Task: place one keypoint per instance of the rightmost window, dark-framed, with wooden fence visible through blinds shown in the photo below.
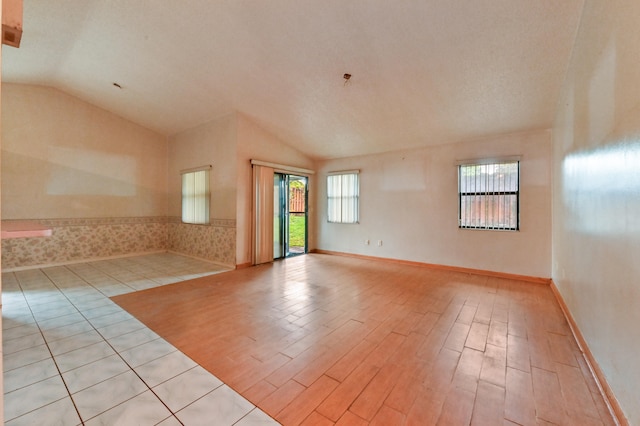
(489, 195)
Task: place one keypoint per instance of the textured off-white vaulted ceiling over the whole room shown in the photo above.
(424, 72)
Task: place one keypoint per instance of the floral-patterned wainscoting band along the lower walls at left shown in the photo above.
(82, 239)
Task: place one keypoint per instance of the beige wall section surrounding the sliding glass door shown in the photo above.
(254, 143)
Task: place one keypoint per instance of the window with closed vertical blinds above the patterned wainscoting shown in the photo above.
(196, 195)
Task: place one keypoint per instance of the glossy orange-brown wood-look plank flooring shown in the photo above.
(323, 340)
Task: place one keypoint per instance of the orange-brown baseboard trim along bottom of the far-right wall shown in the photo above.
(603, 386)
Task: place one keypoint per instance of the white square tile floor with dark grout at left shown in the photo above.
(72, 356)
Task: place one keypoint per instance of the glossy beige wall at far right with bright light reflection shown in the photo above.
(596, 206)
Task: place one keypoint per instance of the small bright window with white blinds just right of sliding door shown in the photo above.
(343, 192)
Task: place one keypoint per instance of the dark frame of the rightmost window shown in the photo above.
(487, 194)
